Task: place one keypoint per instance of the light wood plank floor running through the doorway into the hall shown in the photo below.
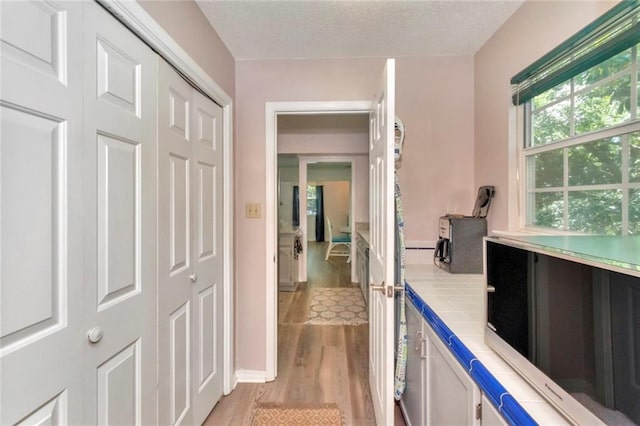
(316, 363)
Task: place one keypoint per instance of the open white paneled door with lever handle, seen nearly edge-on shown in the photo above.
(381, 250)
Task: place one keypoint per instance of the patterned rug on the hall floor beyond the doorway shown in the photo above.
(337, 306)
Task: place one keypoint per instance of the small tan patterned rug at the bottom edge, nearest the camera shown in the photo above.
(270, 414)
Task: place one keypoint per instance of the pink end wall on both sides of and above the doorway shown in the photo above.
(435, 101)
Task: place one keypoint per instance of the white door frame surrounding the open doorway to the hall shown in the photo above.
(272, 110)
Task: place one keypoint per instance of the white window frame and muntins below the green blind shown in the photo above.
(523, 174)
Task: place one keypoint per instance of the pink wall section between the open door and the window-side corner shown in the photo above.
(434, 99)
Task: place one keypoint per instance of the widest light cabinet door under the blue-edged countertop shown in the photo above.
(451, 393)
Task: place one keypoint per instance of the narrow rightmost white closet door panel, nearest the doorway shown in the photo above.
(207, 255)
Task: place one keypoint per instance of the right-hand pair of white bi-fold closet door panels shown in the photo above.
(189, 251)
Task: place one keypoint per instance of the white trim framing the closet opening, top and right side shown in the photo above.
(144, 26)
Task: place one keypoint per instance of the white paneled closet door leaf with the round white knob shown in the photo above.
(120, 223)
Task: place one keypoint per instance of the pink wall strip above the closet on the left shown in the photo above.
(187, 25)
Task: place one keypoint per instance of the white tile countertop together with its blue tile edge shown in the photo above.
(454, 304)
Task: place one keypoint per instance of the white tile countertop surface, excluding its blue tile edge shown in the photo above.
(459, 300)
